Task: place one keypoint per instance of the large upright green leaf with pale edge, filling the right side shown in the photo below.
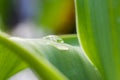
(98, 28)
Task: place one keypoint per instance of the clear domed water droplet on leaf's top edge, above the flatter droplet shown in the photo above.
(54, 38)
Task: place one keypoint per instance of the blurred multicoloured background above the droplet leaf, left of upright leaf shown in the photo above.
(37, 18)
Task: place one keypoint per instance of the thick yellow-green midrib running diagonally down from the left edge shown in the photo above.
(42, 66)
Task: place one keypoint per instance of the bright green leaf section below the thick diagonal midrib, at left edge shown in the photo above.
(10, 64)
